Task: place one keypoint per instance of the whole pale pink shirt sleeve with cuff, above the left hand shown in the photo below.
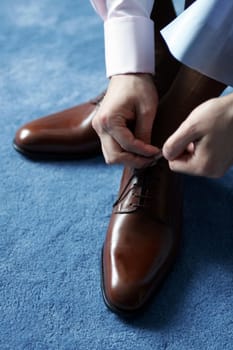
(129, 35)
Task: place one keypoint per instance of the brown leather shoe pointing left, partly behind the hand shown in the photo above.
(66, 134)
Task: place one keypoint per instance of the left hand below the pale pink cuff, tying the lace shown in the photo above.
(125, 118)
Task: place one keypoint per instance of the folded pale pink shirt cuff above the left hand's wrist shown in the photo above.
(129, 45)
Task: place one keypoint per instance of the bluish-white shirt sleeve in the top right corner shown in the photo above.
(202, 38)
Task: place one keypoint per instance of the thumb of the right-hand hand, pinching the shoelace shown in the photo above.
(182, 140)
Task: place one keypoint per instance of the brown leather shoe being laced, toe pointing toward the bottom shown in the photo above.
(142, 238)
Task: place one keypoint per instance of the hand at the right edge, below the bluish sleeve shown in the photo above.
(203, 144)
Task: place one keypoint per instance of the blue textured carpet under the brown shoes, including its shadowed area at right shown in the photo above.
(54, 215)
